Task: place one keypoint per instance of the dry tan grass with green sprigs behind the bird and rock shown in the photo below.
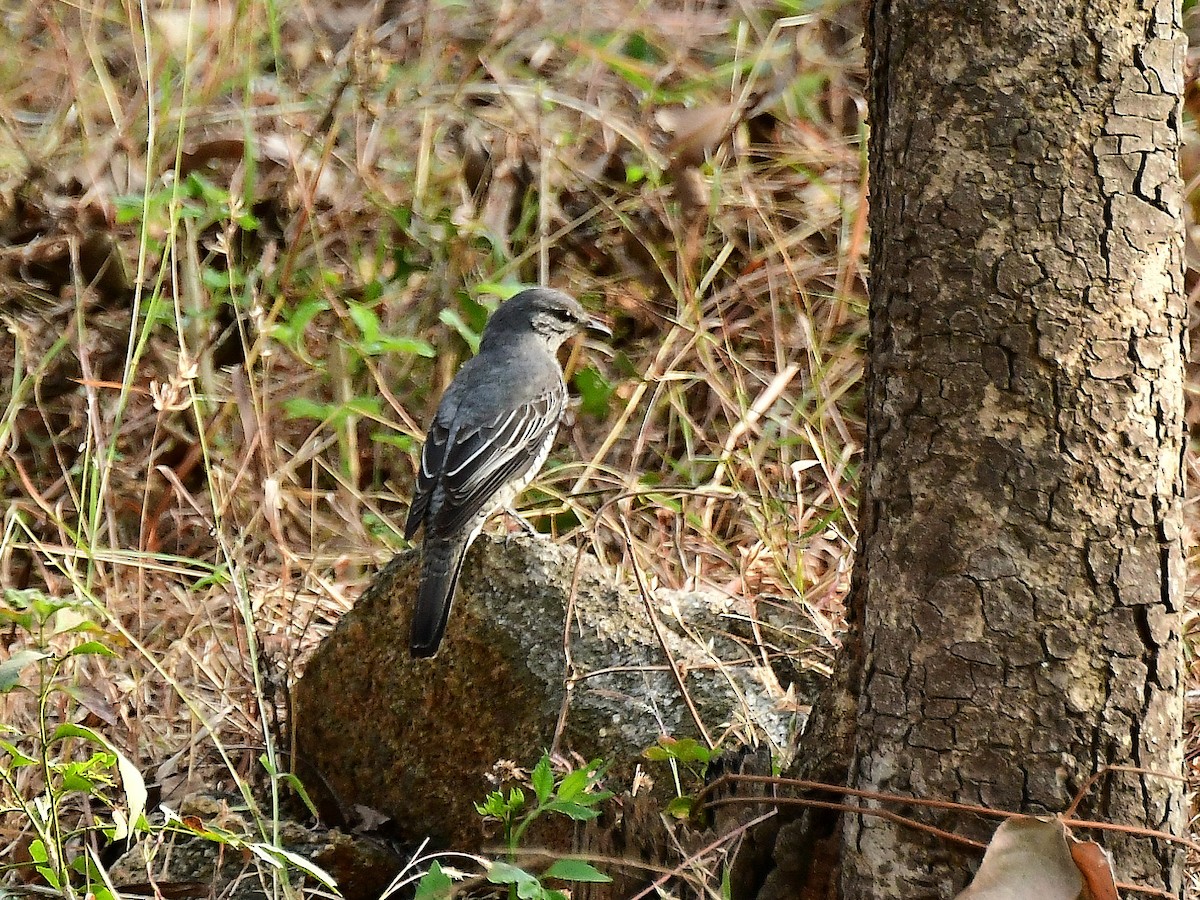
(243, 253)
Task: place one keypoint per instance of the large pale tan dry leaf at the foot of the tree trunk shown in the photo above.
(1027, 859)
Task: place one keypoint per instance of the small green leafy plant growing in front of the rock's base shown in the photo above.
(578, 795)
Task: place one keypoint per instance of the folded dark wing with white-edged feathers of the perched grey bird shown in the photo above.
(472, 463)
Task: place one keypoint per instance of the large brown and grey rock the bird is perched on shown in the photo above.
(417, 739)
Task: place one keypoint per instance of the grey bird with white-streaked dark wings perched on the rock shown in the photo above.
(491, 435)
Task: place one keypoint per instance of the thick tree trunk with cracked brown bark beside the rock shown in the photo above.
(1022, 568)
